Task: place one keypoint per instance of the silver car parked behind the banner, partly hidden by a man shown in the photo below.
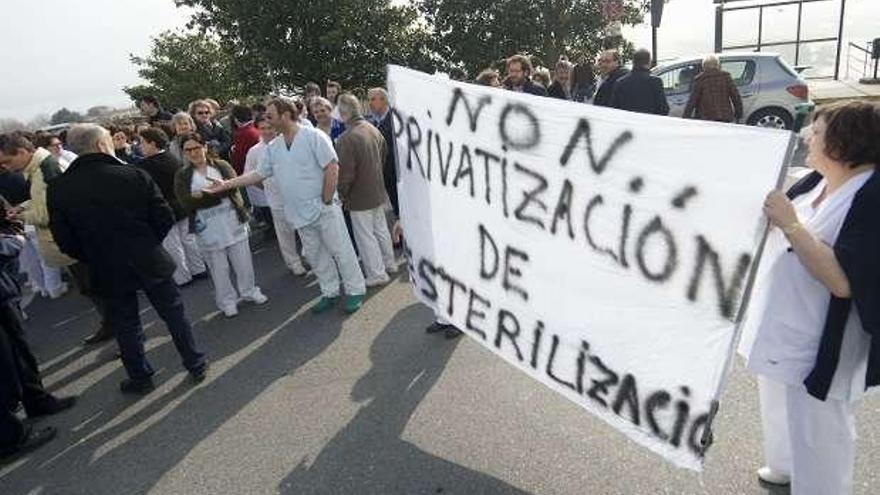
(769, 87)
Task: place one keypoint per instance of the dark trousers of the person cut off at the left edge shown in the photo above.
(19, 375)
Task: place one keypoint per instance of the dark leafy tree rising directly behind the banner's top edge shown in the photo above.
(476, 38)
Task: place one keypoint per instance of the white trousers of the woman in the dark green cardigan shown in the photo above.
(239, 256)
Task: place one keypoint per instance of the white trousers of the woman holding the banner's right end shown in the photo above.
(810, 440)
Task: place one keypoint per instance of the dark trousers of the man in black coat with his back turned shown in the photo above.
(123, 315)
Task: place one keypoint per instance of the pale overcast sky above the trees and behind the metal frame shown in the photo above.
(75, 53)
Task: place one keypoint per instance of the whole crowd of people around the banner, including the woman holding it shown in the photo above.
(152, 207)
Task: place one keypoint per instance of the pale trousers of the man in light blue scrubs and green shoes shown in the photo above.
(328, 249)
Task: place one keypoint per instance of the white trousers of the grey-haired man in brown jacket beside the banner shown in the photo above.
(374, 242)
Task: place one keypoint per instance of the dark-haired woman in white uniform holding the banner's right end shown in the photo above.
(813, 331)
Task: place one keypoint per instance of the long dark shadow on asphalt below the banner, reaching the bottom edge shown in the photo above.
(369, 456)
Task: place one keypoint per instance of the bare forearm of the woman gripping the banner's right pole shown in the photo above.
(815, 255)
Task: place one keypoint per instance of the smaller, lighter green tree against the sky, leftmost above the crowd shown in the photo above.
(182, 67)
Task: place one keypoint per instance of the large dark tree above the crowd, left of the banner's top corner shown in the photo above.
(299, 41)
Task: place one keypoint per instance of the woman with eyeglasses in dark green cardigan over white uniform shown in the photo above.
(220, 223)
